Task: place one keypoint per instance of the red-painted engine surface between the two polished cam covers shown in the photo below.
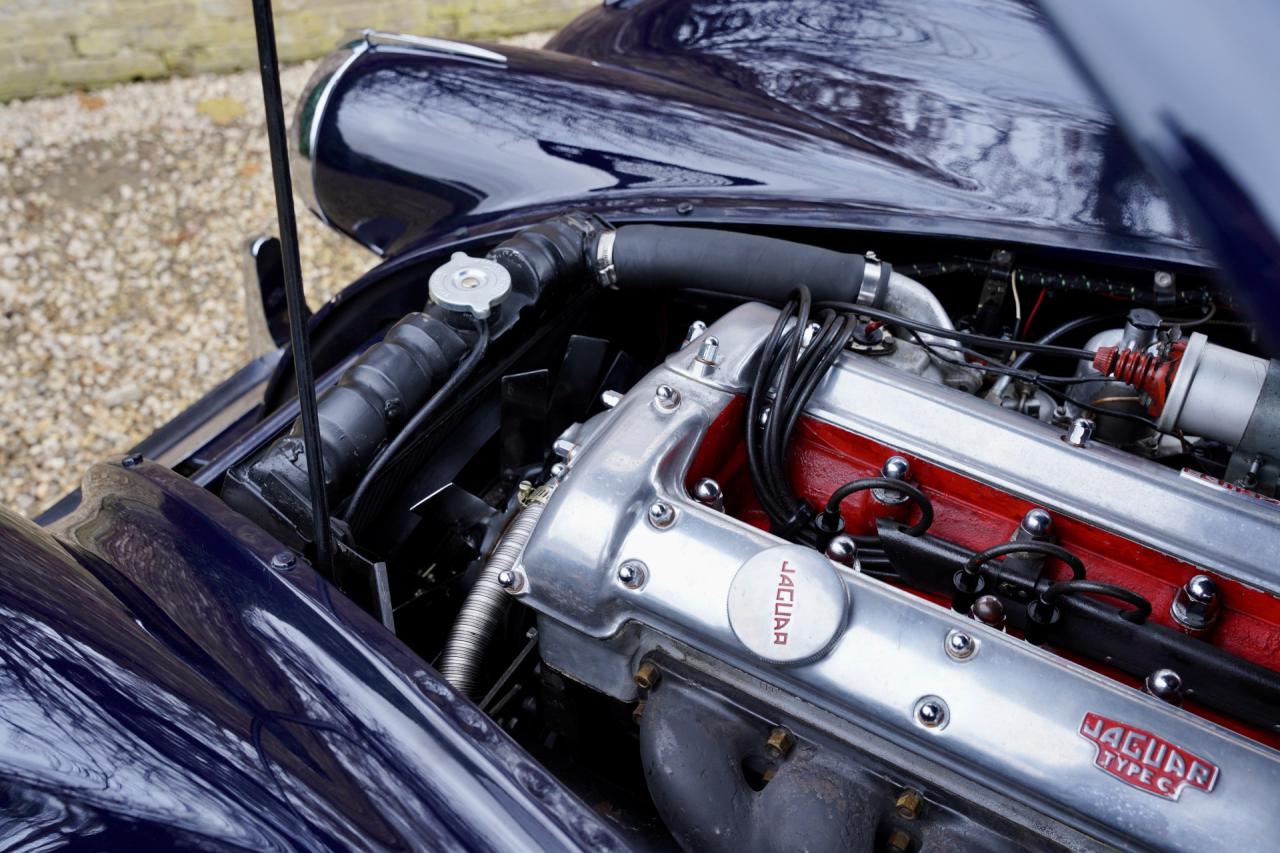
(977, 517)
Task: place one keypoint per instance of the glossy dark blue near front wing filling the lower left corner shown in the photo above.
(162, 686)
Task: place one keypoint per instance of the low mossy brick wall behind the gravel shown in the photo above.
(57, 45)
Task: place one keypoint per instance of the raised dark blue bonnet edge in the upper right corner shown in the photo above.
(1195, 93)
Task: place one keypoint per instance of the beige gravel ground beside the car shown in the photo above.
(122, 220)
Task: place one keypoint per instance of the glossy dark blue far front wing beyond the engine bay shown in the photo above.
(936, 117)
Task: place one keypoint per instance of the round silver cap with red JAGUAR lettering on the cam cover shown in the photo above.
(788, 605)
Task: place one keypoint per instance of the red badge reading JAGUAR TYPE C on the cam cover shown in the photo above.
(1145, 760)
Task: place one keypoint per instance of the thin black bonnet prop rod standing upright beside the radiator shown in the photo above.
(300, 339)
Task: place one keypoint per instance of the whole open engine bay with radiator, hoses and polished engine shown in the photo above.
(774, 545)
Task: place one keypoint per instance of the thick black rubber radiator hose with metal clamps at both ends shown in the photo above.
(746, 266)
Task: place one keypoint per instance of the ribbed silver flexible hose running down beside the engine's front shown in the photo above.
(487, 604)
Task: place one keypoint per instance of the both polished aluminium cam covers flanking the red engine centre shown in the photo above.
(1012, 718)
